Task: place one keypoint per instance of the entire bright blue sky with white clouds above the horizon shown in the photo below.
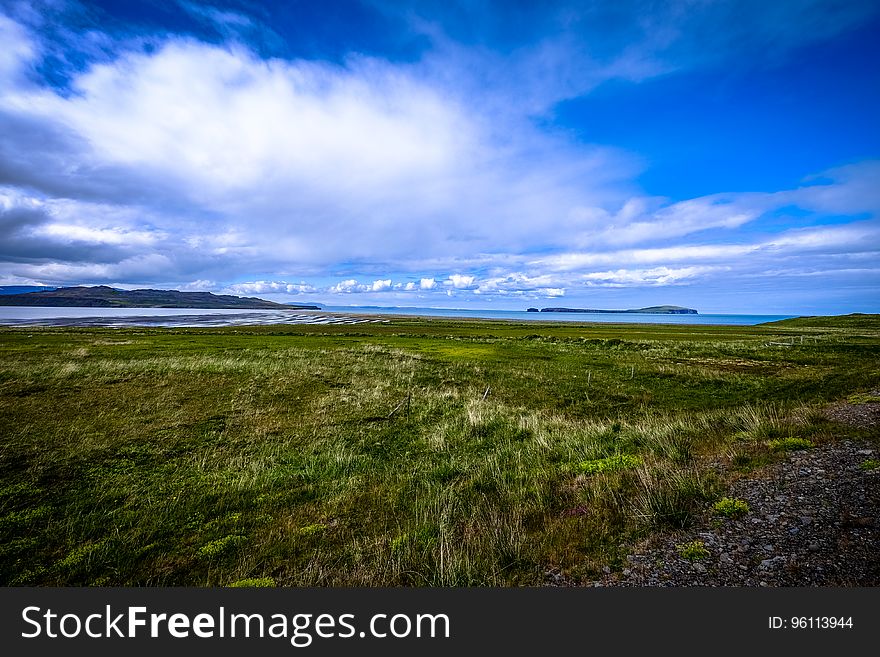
(718, 155)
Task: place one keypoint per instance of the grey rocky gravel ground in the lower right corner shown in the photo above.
(813, 520)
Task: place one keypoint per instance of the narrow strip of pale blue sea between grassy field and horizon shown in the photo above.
(184, 317)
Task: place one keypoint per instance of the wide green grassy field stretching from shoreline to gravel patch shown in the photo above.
(424, 453)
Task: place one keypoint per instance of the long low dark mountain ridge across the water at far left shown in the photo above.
(102, 296)
